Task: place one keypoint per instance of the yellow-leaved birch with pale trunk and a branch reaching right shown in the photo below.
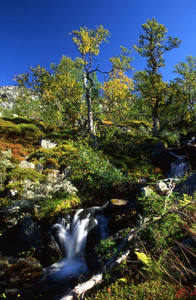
(88, 43)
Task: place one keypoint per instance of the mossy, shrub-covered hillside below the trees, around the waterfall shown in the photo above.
(49, 171)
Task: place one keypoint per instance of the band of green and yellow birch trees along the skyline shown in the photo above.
(70, 91)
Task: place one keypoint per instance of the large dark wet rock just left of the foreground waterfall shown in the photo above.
(28, 238)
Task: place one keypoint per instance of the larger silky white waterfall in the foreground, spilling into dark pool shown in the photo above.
(72, 238)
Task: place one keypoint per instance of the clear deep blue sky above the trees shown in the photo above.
(36, 32)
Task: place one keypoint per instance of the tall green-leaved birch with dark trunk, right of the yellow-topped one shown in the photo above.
(153, 44)
